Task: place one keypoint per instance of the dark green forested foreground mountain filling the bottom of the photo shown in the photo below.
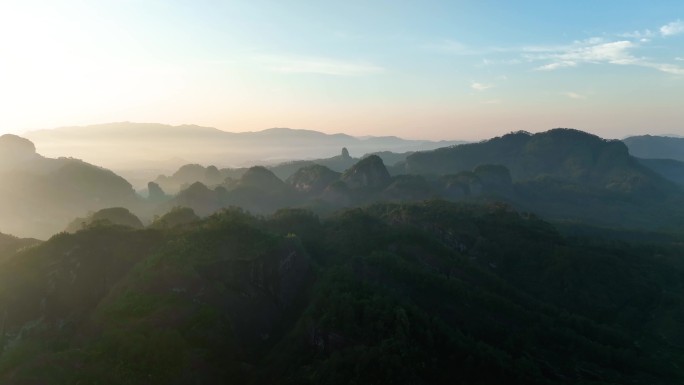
(429, 293)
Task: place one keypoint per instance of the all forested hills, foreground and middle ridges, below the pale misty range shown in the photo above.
(551, 258)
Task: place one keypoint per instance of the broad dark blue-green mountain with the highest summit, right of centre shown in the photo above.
(563, 154)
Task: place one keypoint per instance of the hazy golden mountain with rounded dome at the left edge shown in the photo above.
(39, 195)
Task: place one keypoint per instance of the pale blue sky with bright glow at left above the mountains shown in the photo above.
(416, 69)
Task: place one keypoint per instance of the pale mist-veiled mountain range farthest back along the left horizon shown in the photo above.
(158, 146)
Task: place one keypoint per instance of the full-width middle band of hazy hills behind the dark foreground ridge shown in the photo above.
(561, 174)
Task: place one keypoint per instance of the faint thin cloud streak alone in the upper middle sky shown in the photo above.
(316, 65)
